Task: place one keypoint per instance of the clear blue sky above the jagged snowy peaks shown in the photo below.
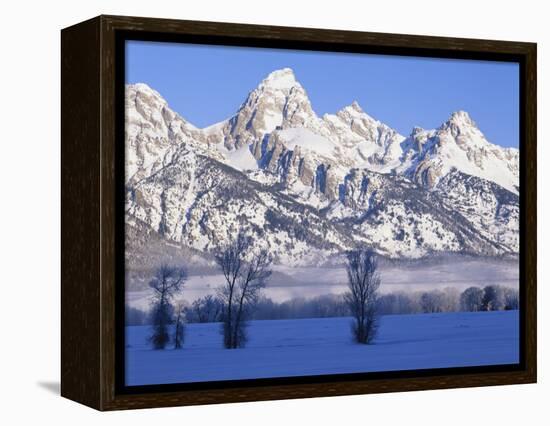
(206, 84)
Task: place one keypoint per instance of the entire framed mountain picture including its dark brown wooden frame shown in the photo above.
(256, 212)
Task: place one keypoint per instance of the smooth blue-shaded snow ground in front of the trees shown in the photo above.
(283, 348)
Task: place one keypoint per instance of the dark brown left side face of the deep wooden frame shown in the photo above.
(80, 207)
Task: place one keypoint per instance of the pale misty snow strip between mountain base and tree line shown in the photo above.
(289, 282)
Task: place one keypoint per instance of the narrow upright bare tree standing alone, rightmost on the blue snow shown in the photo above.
(363, 284)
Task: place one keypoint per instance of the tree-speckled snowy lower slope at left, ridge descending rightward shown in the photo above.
(200, 203)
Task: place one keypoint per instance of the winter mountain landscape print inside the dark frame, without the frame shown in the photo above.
(297, 213)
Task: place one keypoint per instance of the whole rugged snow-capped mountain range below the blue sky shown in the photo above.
(309, 187)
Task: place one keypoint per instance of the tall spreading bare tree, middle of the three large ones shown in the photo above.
(244, 281)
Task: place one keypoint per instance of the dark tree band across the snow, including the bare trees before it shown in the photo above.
(239, 299)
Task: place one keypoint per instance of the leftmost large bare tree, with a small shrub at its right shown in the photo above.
(167, 281)
